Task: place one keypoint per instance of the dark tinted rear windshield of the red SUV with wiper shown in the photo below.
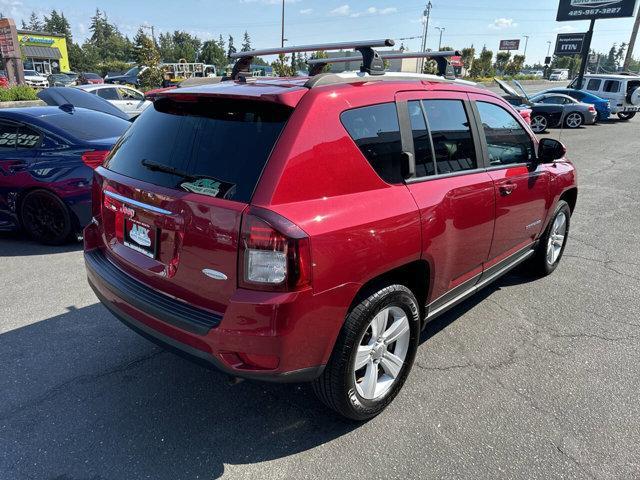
(215, 147)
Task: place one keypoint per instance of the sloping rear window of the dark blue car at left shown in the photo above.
(88, 125)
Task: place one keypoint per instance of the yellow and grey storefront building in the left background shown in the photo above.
(44, 52)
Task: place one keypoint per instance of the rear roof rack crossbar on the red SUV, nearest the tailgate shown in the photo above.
(371, 61)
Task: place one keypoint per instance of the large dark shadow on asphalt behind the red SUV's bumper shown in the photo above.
(81, 396)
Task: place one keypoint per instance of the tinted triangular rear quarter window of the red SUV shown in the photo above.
(376, 131)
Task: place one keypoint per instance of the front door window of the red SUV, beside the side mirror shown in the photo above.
(507, 141)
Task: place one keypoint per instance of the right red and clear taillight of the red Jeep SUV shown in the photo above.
(274, 254)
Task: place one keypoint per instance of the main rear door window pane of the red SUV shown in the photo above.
(451, 135)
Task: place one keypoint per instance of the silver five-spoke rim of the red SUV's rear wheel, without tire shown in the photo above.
(381, 353)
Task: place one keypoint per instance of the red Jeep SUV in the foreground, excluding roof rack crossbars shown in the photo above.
(307, 229)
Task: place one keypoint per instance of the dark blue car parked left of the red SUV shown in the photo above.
(47, 158)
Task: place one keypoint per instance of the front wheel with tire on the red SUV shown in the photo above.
(545, 260)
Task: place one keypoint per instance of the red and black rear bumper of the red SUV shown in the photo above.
(296, 331)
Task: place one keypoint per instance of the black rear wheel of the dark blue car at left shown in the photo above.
(45, 218)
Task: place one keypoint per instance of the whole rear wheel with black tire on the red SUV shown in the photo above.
(362, 393)
